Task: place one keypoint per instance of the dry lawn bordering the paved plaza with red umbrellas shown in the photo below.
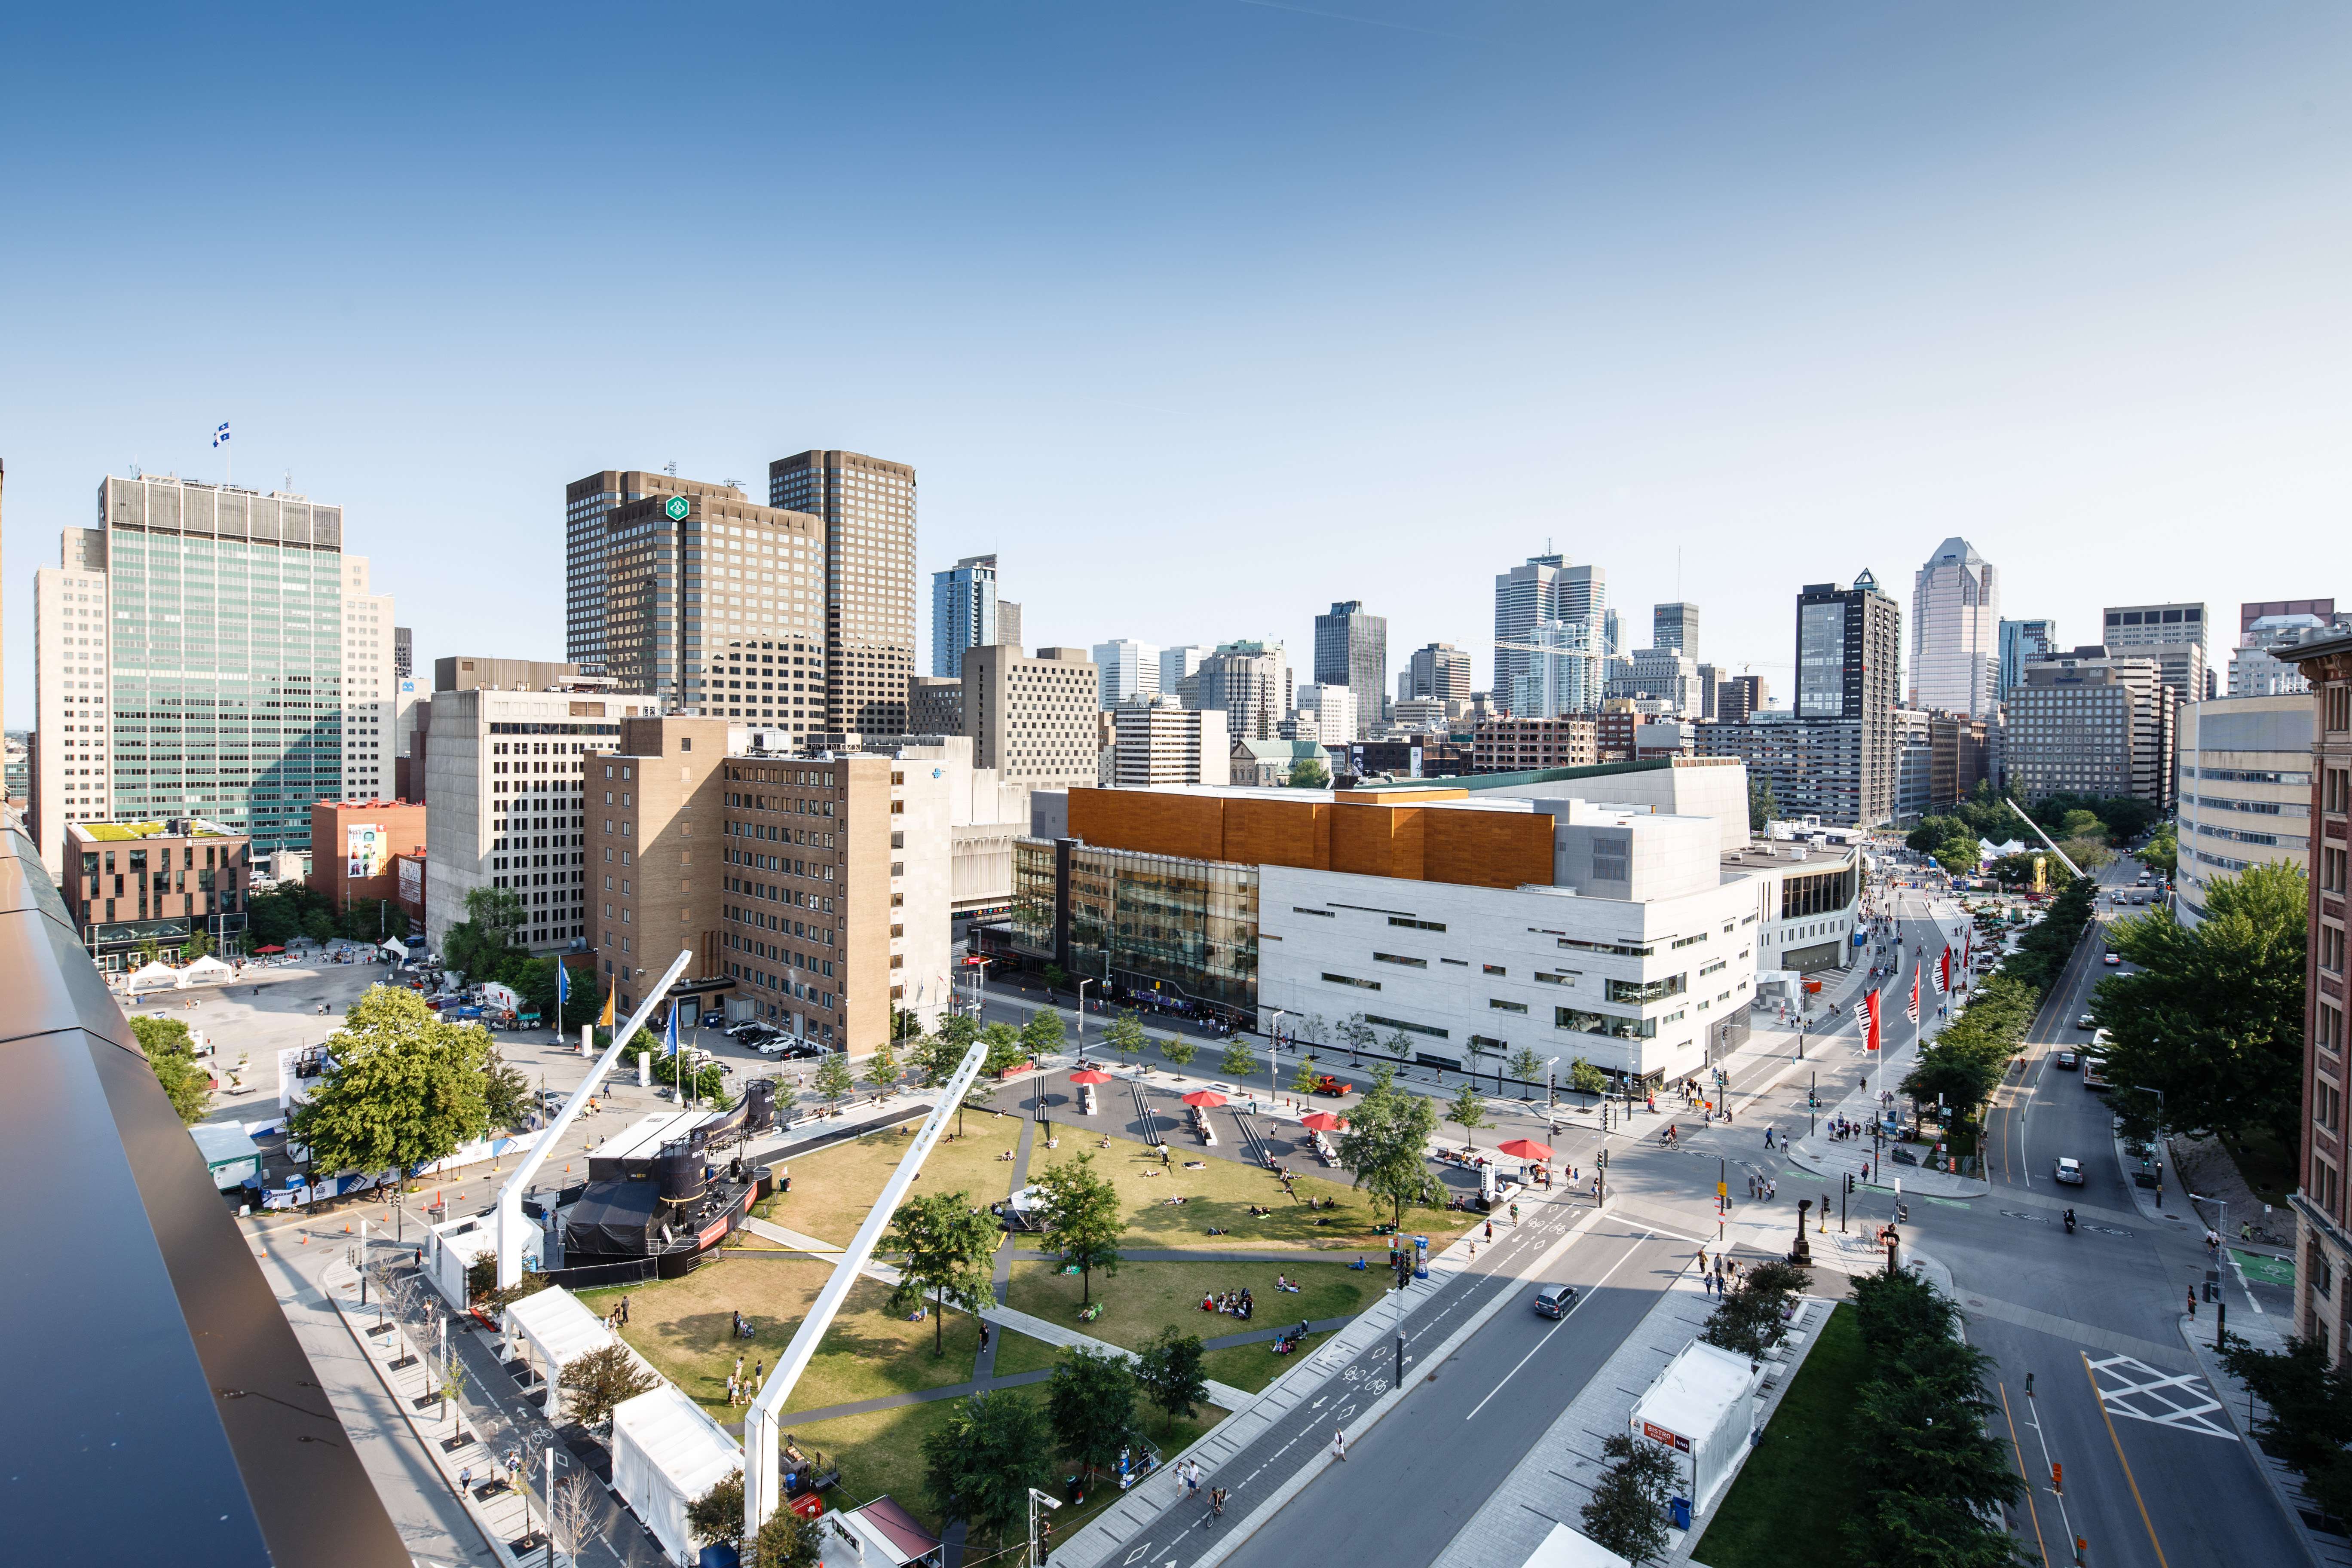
(1222, 1195)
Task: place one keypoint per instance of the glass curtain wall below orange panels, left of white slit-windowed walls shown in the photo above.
(1187, 930)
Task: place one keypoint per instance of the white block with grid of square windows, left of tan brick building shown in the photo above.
(505, 782)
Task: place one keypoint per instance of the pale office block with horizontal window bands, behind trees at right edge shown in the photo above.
(2245, 791)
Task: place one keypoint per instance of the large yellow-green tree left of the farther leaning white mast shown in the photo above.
(401, 1090)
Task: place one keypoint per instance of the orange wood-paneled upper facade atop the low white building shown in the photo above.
(1351, 836)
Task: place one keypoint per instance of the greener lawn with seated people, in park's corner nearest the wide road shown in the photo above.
(1149, 1296)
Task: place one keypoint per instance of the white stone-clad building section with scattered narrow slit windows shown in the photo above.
(1638, 949)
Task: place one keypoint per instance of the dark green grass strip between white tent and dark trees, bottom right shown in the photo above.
(1798, 1482)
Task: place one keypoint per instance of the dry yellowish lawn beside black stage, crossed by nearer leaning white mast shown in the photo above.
(683, 1329)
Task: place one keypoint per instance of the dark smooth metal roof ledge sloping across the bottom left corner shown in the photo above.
(161, 1407)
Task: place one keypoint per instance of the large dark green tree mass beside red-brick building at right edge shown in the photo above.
(2214, 1017)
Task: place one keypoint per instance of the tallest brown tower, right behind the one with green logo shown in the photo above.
(869, 514)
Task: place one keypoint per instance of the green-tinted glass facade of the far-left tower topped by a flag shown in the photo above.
(227, 634)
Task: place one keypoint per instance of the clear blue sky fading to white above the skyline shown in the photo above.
(1205, 314)
